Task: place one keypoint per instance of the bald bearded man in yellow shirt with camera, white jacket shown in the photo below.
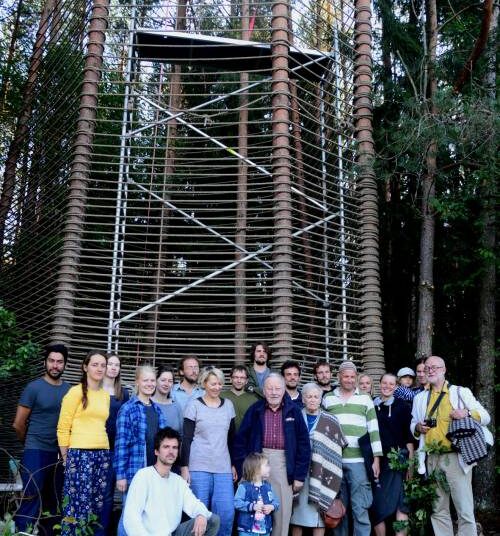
(433, 410)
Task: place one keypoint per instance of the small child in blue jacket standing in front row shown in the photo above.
(254, 500)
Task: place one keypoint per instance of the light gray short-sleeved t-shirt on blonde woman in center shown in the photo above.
(209, 449)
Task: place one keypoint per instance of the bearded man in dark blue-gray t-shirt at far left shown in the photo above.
(36, 426)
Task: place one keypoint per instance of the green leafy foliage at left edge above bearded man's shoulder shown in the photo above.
(17, 350)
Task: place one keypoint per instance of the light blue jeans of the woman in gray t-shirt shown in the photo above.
(216, 492)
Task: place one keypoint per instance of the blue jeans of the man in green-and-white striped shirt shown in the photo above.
(356, 490)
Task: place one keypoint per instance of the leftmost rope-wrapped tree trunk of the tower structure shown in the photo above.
(62, 325)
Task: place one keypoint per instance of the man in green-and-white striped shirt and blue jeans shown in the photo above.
(357, 417)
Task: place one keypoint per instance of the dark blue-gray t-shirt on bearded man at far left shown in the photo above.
(44, 400)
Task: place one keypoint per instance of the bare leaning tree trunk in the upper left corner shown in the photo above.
(9, 179)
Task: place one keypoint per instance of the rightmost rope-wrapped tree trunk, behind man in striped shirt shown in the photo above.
(371, 303)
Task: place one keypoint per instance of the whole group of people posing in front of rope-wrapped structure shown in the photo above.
(264, 455)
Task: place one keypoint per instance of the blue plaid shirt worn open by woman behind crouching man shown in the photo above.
(130, 444)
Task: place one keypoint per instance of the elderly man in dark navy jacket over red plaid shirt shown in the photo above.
(276, 427)
